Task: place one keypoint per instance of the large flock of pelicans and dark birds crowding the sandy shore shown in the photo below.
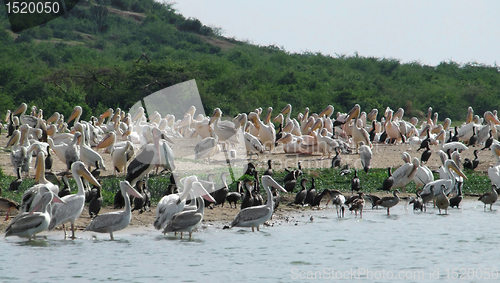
(140, 145)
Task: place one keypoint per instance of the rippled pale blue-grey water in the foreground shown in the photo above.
(405, 246)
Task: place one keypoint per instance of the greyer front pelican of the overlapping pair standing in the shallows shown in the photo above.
(186, 221)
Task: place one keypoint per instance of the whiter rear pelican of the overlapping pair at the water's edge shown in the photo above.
(171, 204)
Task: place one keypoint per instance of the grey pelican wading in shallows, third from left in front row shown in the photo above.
(117, 220)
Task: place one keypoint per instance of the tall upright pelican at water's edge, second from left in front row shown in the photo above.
(73, 206)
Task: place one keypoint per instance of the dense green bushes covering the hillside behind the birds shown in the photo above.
(92, 57)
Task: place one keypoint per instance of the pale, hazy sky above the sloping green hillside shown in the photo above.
(429, 31)
